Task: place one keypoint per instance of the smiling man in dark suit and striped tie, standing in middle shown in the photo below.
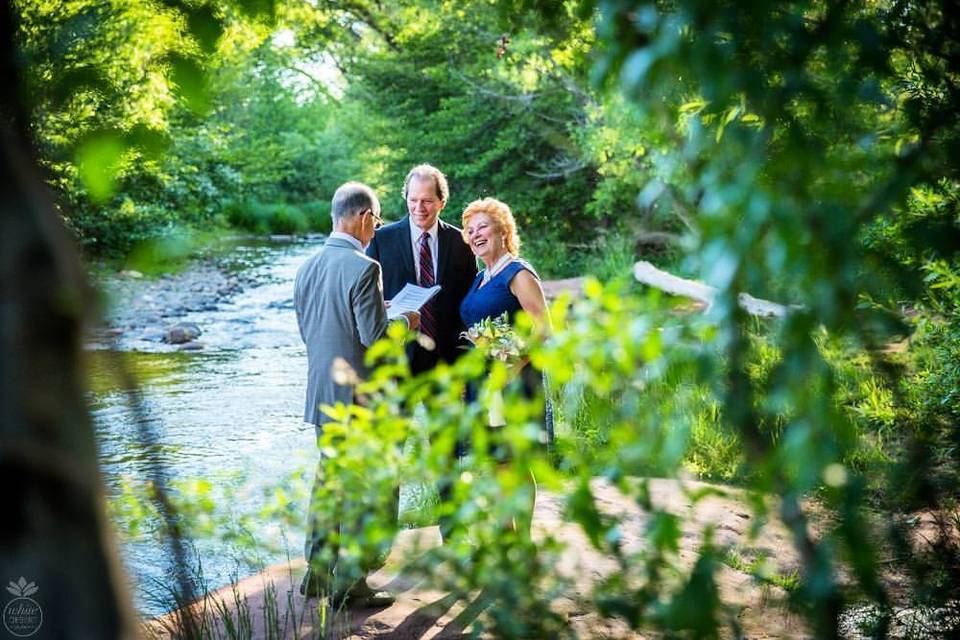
(423, 250)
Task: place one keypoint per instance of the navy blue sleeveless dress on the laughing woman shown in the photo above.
(492, 300)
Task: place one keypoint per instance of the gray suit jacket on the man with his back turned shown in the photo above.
(338, 296)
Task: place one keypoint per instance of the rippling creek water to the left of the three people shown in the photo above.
(227, 417)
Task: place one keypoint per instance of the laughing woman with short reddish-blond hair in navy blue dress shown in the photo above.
(507, 285)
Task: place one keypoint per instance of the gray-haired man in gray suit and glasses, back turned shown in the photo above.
(338, 297)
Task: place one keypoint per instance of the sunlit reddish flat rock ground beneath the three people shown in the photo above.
(423, 612)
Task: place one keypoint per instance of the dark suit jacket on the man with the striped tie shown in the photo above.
(456, 270)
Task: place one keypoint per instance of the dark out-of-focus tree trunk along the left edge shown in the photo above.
(55, 533)
